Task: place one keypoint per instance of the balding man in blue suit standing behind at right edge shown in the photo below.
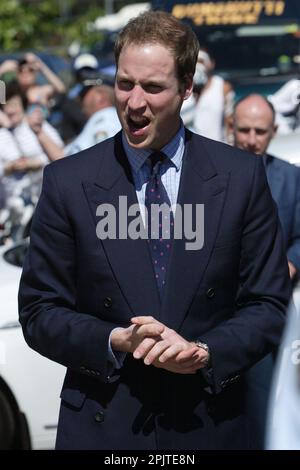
(254, 128)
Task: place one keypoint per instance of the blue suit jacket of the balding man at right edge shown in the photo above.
(284, 182)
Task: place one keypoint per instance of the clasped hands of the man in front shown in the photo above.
(153, 342)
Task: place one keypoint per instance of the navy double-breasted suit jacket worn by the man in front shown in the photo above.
(232, 294)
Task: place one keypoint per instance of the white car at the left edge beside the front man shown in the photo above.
(29, 383)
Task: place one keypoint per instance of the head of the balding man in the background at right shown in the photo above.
(253, 125)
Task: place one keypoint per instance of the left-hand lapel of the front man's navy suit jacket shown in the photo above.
(129, 259)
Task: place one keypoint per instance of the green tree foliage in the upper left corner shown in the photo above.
(42, 24)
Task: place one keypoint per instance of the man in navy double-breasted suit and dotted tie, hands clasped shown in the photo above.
(156, 332)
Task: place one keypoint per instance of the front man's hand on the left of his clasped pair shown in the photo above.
(128, 339)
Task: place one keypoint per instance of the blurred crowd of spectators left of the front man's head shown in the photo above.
(28, 138)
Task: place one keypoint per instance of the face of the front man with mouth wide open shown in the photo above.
(148, 95)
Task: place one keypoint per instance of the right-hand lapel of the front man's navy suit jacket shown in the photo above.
(200, 184)
